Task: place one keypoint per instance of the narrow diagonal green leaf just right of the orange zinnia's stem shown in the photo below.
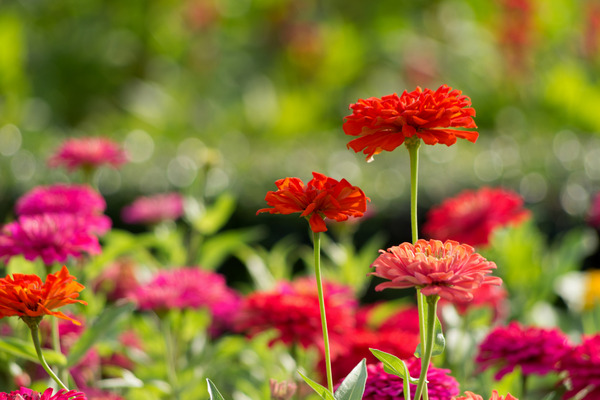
(101, 326)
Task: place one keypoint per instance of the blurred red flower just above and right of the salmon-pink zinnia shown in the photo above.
(472, 216)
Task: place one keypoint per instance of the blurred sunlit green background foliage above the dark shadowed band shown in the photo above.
(210, 96)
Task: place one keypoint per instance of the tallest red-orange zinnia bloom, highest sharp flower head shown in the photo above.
(384, 124)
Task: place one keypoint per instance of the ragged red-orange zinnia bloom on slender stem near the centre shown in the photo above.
(322, 197)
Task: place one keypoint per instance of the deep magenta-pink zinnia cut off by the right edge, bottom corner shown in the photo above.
(582, 365)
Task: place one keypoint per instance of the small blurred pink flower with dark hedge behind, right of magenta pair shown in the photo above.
(154, 209)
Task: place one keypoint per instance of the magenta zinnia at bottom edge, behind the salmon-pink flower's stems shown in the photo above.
(383, 386)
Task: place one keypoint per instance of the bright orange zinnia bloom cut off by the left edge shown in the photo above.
(27, 296)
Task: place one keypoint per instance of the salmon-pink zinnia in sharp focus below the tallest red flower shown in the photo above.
(450, 270)
